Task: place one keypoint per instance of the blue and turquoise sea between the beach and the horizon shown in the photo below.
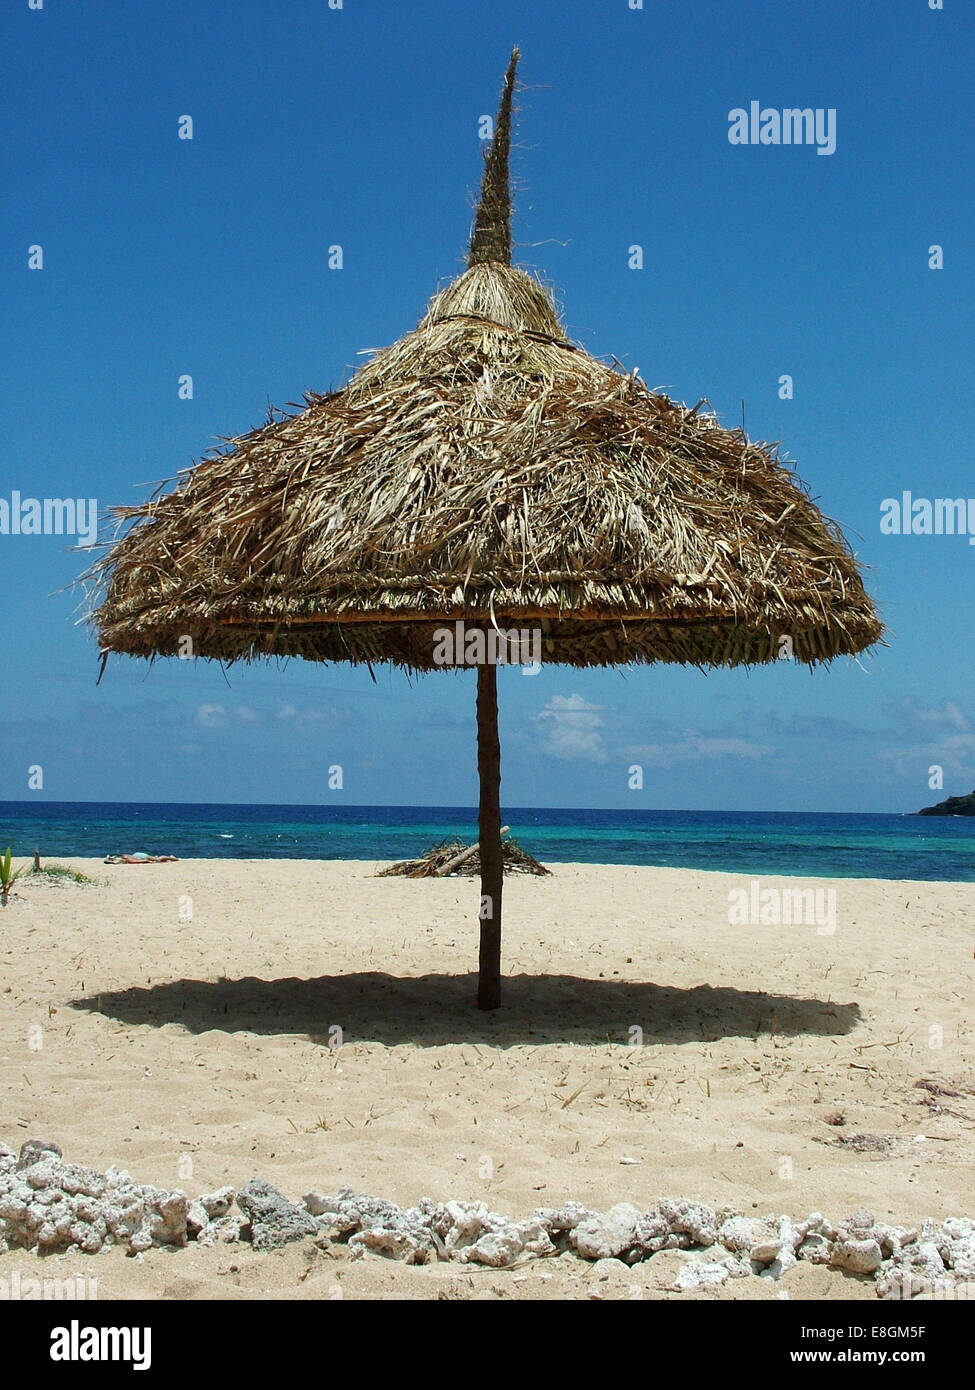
(762, 843)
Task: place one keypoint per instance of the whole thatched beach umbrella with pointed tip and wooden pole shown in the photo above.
(486, 472)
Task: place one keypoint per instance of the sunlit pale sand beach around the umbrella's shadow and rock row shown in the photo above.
(195, 1053)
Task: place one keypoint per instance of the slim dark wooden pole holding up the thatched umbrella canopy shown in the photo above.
(489, 826)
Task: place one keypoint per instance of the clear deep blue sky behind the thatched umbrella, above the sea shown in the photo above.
(358, 127)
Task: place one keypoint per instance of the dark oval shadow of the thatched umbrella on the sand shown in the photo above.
(435, 1010)
